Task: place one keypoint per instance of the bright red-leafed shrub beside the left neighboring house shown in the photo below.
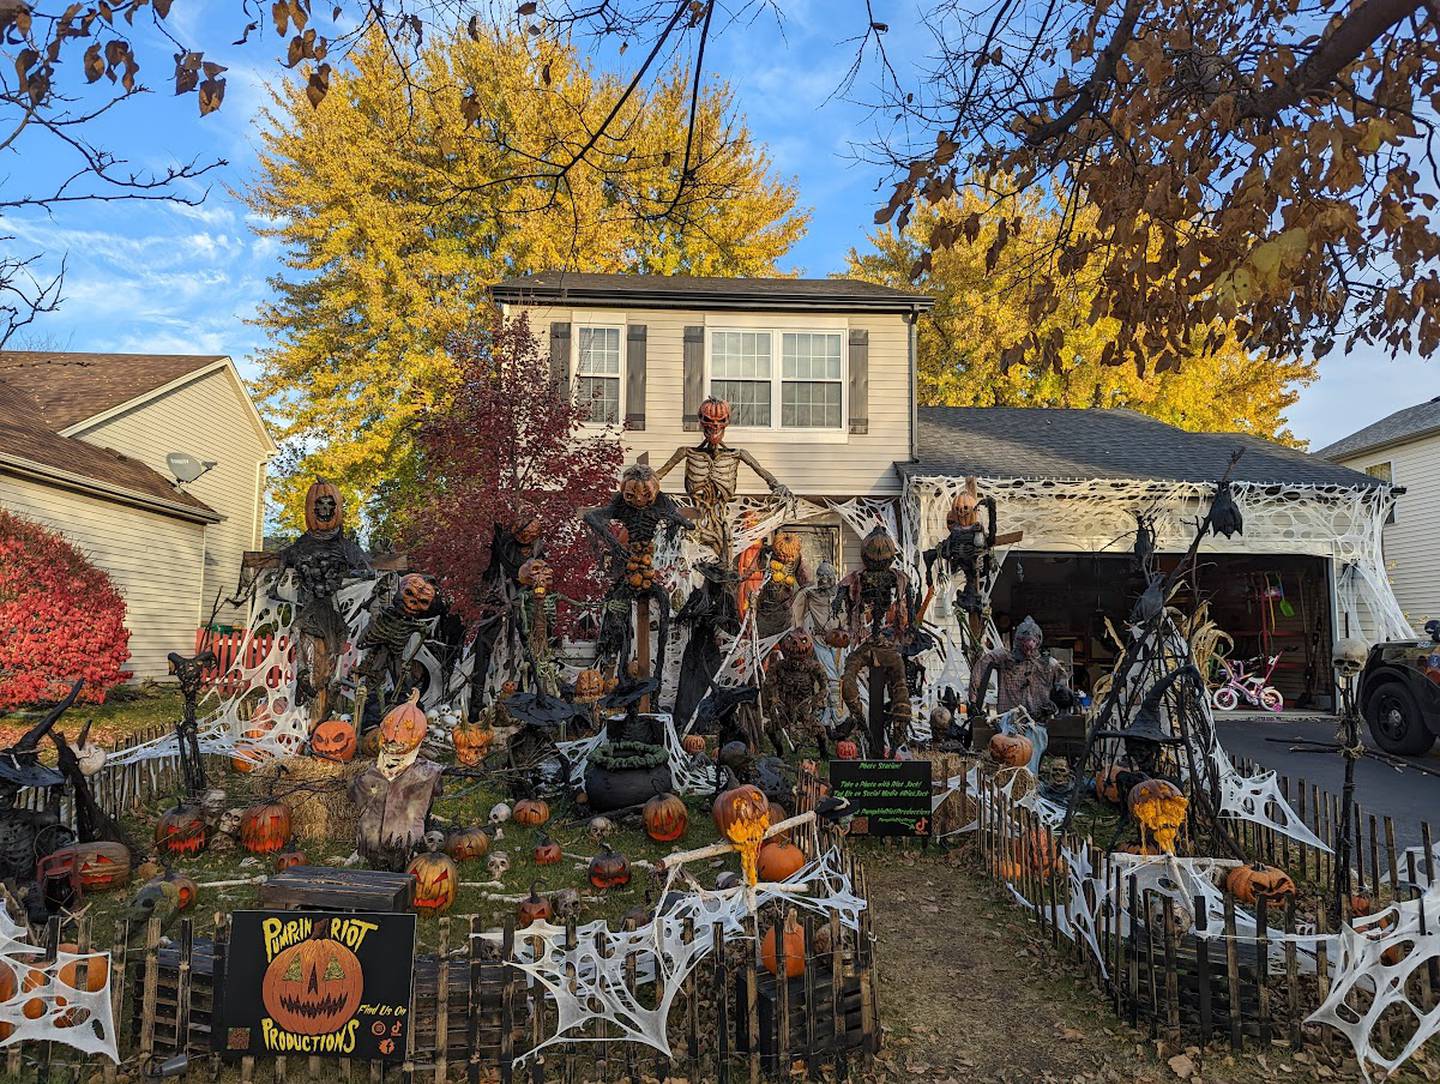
(61, 618)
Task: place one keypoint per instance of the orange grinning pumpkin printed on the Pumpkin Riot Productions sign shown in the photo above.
(315, 987)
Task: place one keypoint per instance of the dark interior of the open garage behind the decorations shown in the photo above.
(1269, 604)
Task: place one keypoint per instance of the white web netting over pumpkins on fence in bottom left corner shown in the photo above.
(44, 1000)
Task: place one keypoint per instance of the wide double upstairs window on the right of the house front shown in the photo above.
(807, 382)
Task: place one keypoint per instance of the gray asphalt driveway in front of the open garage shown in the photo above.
(1406, 797)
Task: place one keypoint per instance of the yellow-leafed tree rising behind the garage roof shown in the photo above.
(978, 317)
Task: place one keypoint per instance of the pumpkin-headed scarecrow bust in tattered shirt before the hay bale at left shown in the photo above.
(395, 797)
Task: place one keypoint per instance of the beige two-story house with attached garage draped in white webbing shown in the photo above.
(822, 378)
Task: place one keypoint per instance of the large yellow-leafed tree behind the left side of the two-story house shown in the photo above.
(407, 194)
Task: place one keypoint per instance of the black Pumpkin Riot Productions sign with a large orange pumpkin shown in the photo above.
(315, 983)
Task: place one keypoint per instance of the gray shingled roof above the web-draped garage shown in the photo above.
(1066, 444)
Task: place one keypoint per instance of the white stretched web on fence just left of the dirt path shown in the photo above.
(588, 984)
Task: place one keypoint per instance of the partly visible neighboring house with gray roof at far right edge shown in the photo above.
(1405, 451)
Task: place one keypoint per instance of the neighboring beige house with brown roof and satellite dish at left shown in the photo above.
(83, 448)
